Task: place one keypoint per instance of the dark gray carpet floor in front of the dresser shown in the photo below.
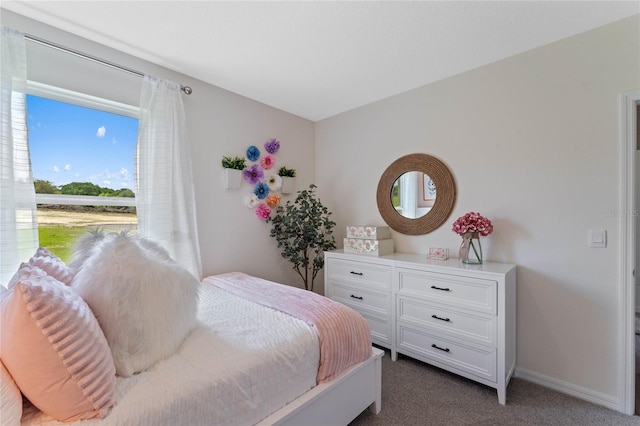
(415, 393)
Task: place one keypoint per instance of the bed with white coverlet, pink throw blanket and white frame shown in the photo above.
(252, 360)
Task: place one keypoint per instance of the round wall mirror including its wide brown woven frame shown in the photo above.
(416, 194)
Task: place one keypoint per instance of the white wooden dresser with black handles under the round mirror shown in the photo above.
(458, 317)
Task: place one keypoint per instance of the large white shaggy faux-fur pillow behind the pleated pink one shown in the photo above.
(144, 301)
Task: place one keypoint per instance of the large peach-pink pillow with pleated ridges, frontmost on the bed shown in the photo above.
(54, 349)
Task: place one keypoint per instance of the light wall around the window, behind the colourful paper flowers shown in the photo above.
(221, 123)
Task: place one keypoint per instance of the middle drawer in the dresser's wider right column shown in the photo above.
(463, 325)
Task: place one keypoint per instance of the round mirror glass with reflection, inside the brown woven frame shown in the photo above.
(413, 194)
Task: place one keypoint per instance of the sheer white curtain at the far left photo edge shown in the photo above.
(18, 220)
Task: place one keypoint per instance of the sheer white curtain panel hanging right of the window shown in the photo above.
(165, 198)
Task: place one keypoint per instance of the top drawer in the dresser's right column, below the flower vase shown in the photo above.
(465, 292)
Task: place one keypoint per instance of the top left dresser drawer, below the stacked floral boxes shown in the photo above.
(363, 273)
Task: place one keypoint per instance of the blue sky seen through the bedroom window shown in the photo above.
(69, 143)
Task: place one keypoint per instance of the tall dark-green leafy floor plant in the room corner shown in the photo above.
(303, 229)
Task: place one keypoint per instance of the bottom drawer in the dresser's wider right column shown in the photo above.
(434, 348)
